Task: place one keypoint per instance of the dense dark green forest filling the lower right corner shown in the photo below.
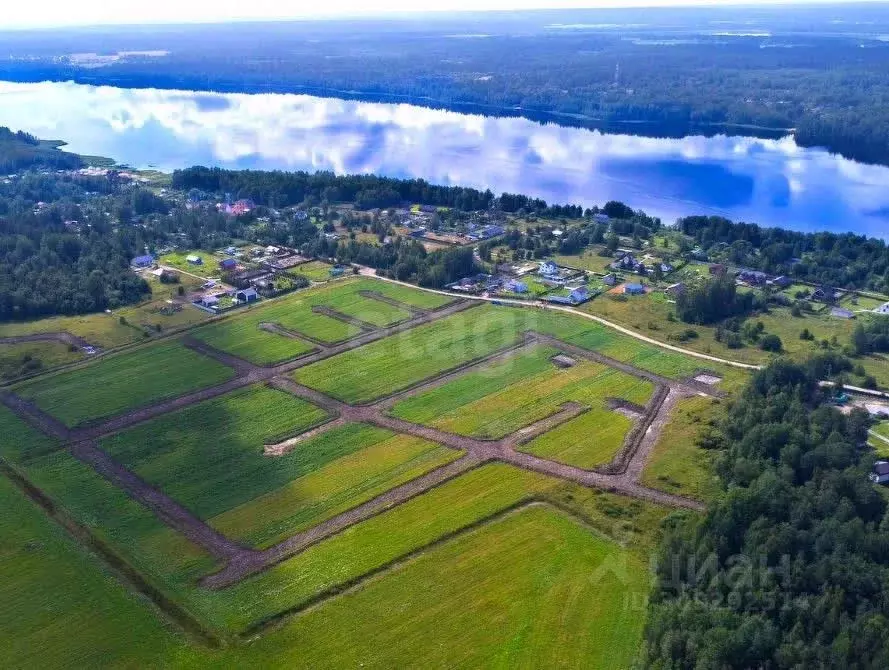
(790, 567)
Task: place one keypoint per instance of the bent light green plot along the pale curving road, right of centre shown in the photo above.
(398, 362)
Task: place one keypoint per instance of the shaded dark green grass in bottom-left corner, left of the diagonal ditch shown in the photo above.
(59, 608)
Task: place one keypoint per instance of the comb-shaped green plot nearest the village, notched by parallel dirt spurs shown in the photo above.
(241, 335)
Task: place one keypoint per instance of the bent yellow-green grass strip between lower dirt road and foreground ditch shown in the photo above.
(439, 513)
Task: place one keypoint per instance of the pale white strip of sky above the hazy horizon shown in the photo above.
(53, 13)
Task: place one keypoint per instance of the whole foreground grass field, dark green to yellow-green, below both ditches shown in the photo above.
(531, 589)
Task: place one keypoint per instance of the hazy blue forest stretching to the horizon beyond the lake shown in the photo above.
(666, 72)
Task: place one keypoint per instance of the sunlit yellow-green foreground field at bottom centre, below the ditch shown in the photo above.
(531, 589)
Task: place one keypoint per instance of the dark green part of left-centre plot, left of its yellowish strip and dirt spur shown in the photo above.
(209, 456)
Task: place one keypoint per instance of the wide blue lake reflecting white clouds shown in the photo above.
(771, 182)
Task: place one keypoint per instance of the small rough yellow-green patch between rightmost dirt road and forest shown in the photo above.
(677, 464)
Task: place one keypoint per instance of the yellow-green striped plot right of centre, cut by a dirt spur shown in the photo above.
(507, 395)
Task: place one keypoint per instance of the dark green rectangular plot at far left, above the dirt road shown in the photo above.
(123, 382)
